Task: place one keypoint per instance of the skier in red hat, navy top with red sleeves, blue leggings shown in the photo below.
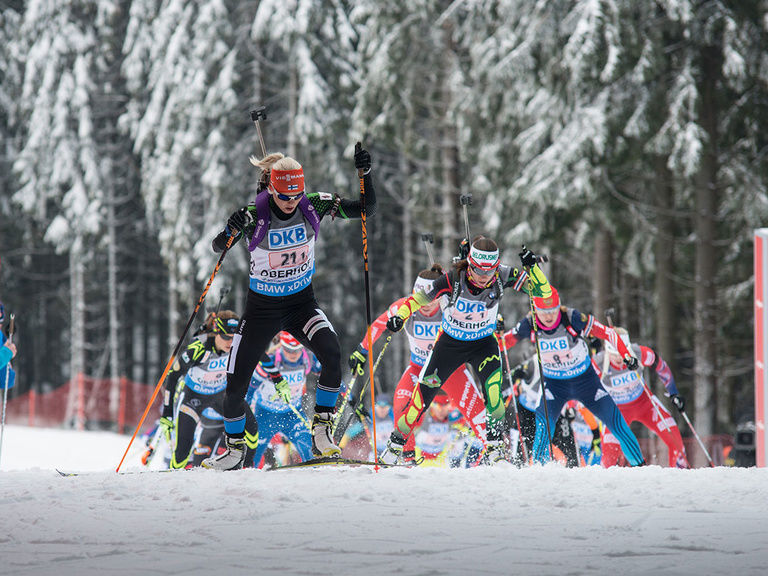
(569, 373)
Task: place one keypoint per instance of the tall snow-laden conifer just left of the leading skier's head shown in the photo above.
(180, 68)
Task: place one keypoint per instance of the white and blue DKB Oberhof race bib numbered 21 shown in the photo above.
(284, 261)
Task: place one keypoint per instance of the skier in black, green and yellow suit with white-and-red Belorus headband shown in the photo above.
(474, 286)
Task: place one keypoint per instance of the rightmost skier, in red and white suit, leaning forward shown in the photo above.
(626, 388)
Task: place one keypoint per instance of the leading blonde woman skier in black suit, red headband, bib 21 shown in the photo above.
(281, 227)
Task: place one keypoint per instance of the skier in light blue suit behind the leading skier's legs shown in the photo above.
(273, 413)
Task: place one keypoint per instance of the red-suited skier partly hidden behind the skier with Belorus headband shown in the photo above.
(422, 330)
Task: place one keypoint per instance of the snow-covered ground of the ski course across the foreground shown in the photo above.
(539, 521)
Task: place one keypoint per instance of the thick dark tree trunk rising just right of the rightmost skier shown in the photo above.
(705, 293)
